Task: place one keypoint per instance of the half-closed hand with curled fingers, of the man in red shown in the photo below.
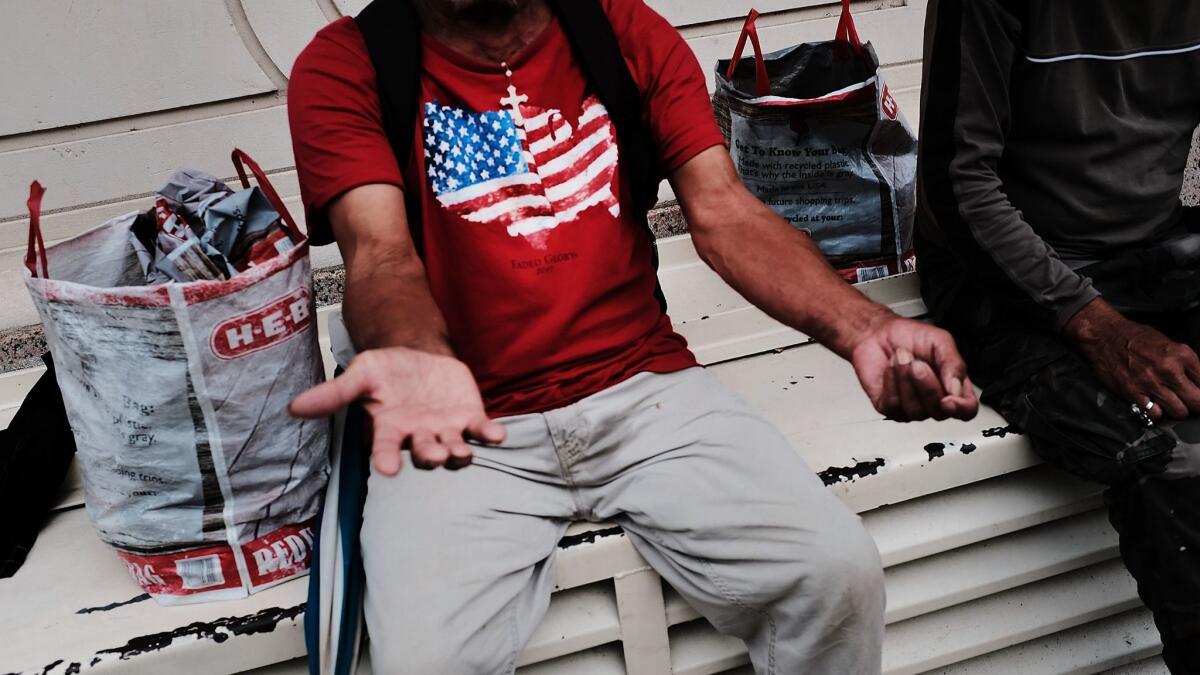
(913, 371)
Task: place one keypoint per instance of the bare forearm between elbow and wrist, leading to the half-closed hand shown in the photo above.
(782, 271)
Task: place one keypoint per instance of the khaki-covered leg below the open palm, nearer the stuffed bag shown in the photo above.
(459, 565)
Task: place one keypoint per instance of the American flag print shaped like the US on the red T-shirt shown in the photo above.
(524, 169)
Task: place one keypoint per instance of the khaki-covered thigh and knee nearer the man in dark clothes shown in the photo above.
(733, 517)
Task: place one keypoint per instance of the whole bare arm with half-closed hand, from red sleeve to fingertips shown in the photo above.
(910, 371)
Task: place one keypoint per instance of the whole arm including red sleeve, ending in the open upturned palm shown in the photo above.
(418, 396)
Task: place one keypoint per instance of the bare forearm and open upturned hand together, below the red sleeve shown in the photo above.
(406, 377)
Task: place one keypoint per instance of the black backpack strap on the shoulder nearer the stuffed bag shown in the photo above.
(393, 34)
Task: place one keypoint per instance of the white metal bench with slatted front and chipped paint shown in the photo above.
(994, 564)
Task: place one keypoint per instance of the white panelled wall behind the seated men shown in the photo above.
(104, 99)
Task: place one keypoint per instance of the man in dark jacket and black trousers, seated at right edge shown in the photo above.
(1053, 244)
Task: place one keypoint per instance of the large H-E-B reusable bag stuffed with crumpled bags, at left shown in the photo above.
(177, 396)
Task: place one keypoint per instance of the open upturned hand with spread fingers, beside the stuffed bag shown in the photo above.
(427, 403)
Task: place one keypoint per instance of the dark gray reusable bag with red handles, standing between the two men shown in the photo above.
(817, 135)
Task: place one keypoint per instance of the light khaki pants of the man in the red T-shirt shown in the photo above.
(459, 565)
